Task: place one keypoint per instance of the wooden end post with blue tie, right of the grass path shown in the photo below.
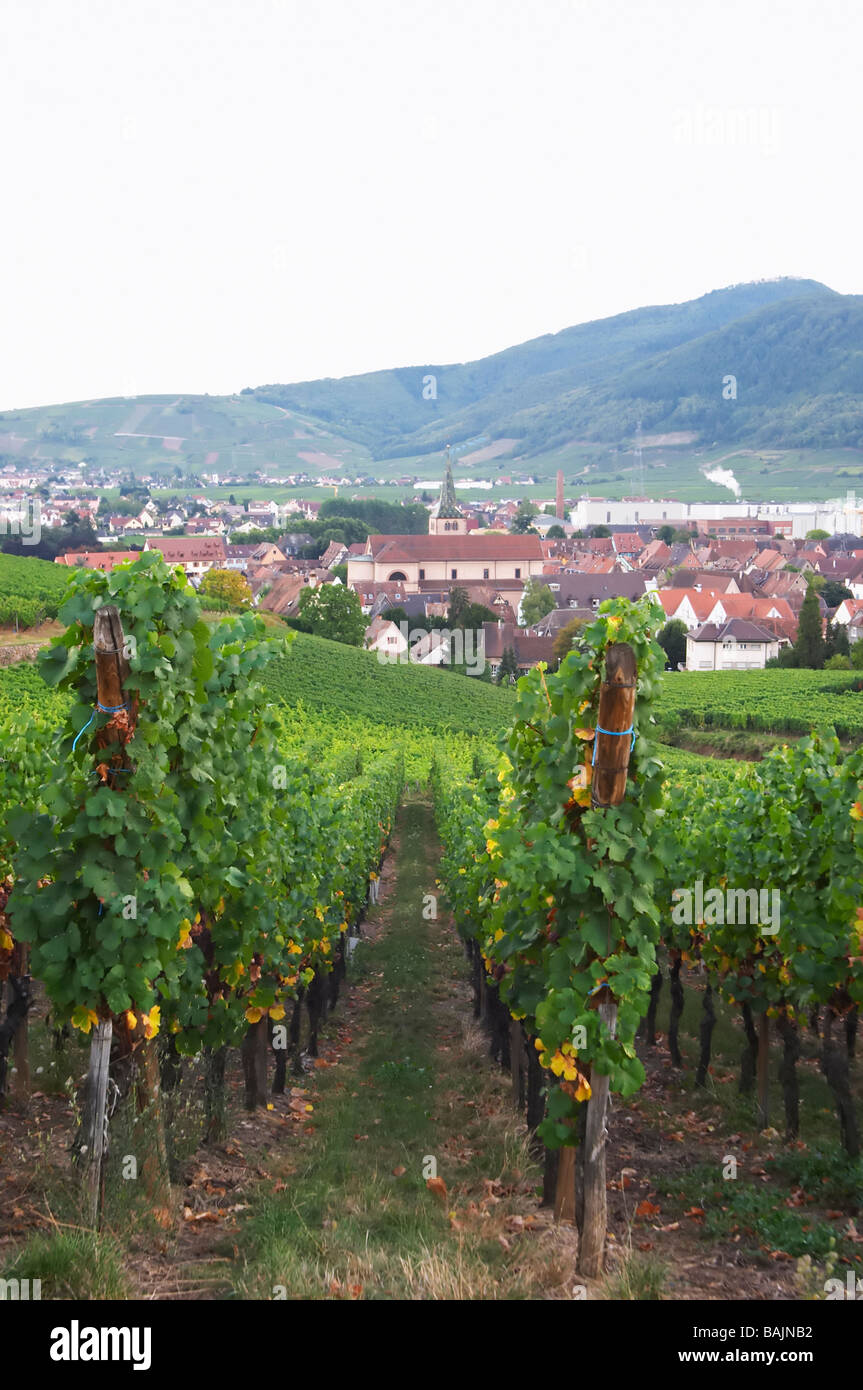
(608, 789)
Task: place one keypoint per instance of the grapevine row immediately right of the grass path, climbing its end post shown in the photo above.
(555, 890)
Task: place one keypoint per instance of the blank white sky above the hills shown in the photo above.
(205, 195)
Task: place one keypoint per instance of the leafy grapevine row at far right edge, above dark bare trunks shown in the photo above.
(787, 833)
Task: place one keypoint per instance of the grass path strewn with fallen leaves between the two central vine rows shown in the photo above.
(405, 1089)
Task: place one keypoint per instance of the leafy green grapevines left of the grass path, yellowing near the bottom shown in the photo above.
(176, 869)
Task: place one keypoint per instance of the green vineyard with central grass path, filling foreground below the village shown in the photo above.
(197, 853)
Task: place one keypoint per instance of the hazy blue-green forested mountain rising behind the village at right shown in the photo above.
(794, 347)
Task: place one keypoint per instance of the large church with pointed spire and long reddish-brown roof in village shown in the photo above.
(448, 555)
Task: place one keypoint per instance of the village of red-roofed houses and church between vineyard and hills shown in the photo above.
(734, 575)
